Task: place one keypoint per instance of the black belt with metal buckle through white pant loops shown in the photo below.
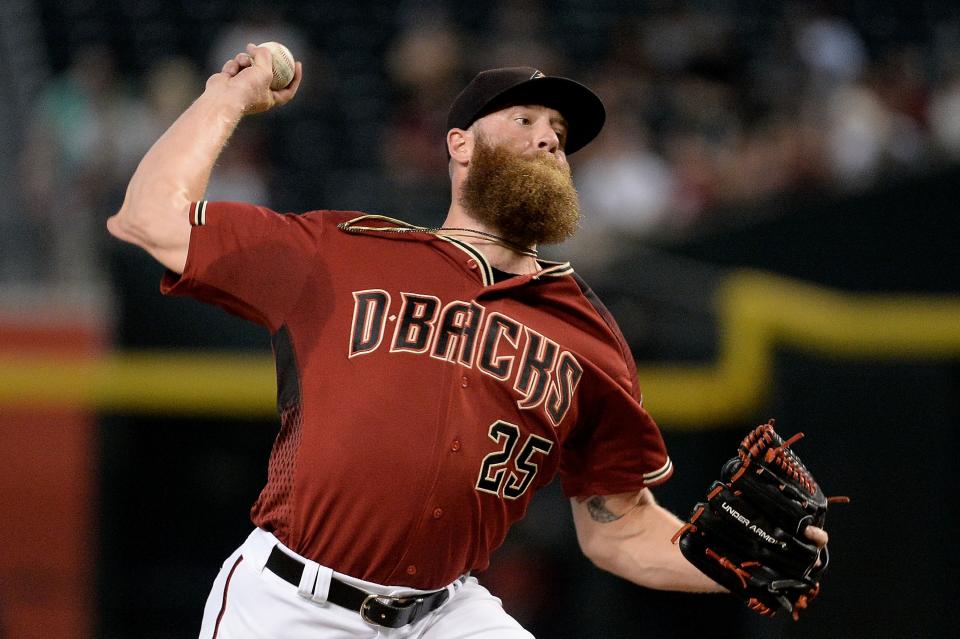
(382, 610)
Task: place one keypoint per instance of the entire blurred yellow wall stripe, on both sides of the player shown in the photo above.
(756, 312)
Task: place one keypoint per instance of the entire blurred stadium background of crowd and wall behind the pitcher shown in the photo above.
(770, 214)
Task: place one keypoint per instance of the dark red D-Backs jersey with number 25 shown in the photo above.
(421, 402)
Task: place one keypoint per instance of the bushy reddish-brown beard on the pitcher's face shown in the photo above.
(527, 200)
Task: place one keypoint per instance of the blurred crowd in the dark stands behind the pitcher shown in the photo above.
(712, 107)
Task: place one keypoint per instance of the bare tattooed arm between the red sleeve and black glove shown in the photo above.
(632, 541)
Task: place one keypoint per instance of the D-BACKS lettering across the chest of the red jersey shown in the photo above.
(464, 333)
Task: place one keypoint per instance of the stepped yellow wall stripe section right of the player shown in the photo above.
(758, 311)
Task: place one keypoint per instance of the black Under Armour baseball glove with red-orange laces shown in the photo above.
(748, 535)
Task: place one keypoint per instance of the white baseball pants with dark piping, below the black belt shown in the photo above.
(248, 601)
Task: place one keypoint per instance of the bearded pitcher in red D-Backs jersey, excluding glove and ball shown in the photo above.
(429, 381)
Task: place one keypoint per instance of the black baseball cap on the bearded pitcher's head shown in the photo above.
(495, 89)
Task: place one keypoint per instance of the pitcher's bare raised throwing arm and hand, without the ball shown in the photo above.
(176, 169)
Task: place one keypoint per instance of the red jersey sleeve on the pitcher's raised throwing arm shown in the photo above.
(249, 260)
